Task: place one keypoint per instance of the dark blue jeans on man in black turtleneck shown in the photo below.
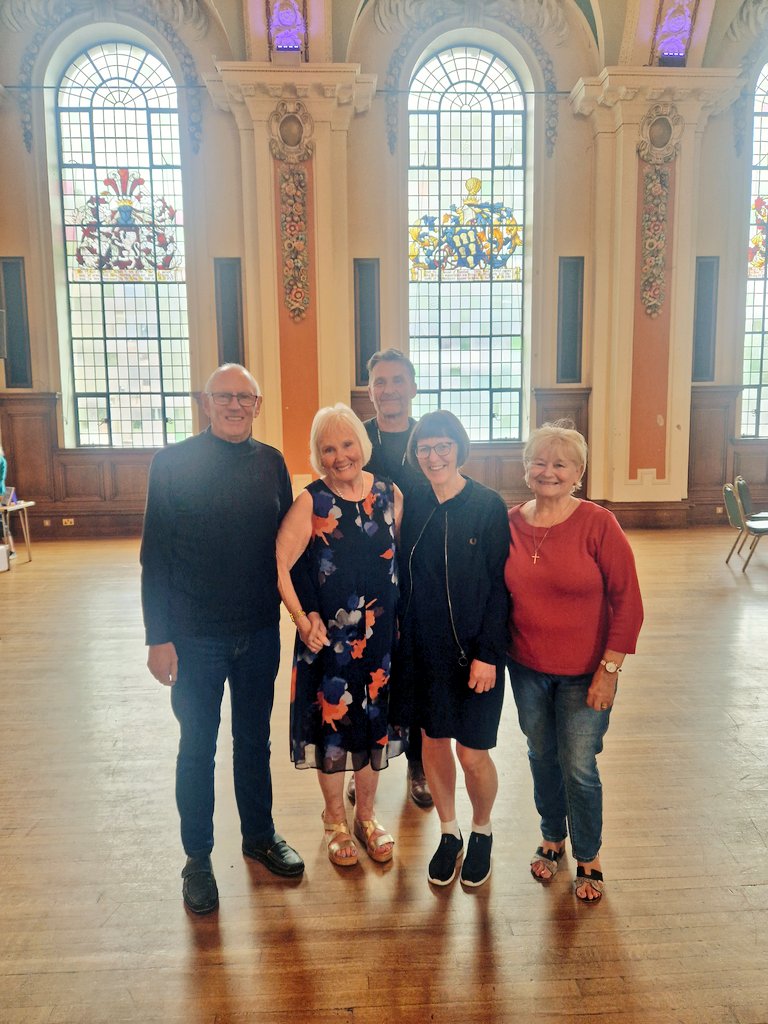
(250, 663)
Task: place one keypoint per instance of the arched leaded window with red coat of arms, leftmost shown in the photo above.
(121, 207)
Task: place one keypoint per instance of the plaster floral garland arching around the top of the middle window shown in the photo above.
(423, 15)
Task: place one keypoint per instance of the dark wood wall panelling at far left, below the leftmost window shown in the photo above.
(103, 491)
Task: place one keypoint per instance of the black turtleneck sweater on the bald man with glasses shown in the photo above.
(208, 566)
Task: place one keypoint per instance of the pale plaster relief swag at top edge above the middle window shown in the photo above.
(544, 16)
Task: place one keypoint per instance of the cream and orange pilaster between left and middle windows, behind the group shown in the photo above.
(293, 122)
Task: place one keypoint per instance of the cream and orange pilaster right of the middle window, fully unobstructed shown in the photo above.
(647, 126)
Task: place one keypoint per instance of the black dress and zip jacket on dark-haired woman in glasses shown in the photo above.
(454, 609)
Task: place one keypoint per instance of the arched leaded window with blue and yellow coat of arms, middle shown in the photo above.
(466, 217)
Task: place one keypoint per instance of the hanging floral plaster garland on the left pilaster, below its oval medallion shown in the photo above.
(294, 243)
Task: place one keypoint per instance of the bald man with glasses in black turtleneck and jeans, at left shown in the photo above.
(209, 591)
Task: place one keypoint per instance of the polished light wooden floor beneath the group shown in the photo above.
(93, 928)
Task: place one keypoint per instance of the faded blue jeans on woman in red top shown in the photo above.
(565, 738)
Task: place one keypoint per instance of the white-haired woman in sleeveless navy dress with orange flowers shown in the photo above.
(338, 579)
